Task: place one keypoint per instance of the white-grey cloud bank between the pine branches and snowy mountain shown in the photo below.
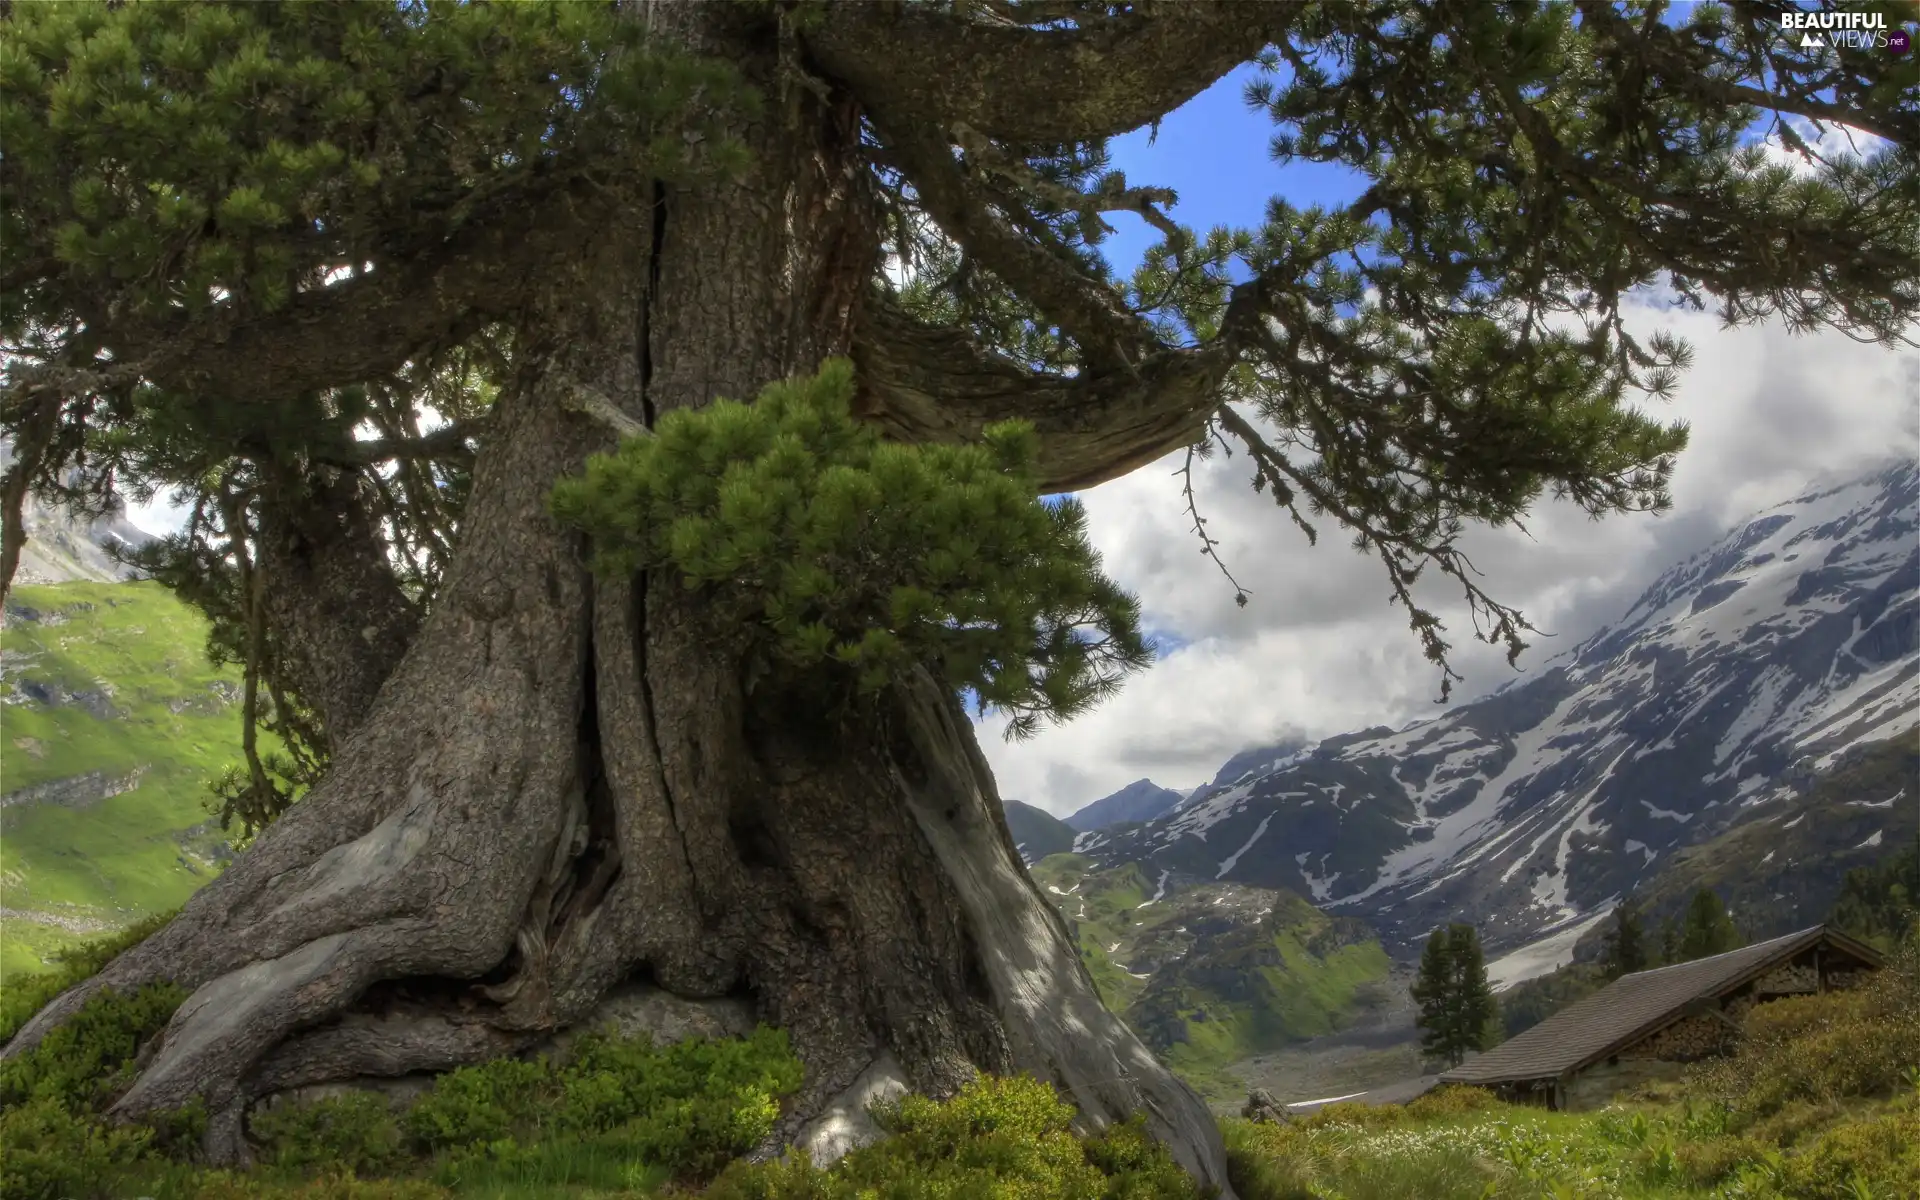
(1320, 650)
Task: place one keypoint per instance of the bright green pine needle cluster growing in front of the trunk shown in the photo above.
(825, 546)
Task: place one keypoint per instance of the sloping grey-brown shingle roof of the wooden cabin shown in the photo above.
(1635, 1007)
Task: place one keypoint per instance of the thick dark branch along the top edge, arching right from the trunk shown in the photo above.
(1026, 85)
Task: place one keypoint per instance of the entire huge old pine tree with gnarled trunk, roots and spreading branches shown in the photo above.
(627, 443)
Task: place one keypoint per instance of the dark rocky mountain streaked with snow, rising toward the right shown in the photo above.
(1739, 675)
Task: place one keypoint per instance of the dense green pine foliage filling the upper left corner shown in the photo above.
(185, 158)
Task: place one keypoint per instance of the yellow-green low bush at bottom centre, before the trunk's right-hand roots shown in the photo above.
(999, 1138)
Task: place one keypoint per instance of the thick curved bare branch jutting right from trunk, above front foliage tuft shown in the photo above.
(921, 383)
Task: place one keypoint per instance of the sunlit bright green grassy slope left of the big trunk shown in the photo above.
(107, 686)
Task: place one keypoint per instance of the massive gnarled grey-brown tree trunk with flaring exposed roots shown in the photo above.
(565, 782)
